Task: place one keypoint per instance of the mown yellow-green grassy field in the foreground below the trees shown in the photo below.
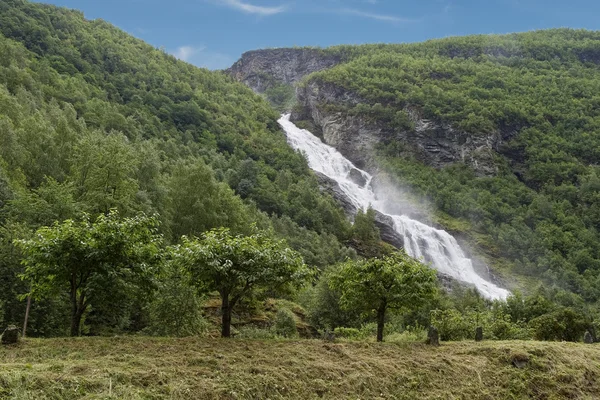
(146, 368)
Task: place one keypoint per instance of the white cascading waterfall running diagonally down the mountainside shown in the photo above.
(433, 246)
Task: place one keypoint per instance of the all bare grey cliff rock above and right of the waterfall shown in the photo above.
(357, 136)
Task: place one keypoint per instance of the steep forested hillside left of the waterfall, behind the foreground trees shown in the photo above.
(92, 119)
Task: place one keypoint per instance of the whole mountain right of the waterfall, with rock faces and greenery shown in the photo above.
(499, 134)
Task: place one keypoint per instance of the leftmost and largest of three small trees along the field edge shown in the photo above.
(86, 259)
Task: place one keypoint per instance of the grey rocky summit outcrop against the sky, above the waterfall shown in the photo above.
(261, 69)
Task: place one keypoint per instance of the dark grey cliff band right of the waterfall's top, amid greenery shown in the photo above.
(356, 136)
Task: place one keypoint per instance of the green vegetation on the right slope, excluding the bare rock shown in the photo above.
(539, 215)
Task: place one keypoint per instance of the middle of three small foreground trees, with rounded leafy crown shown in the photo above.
(236, 265)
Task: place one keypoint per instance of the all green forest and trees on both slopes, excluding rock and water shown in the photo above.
(127, 177)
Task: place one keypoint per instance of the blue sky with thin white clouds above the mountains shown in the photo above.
(214, 33)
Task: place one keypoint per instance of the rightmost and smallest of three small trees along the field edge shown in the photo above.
(392, 282)
